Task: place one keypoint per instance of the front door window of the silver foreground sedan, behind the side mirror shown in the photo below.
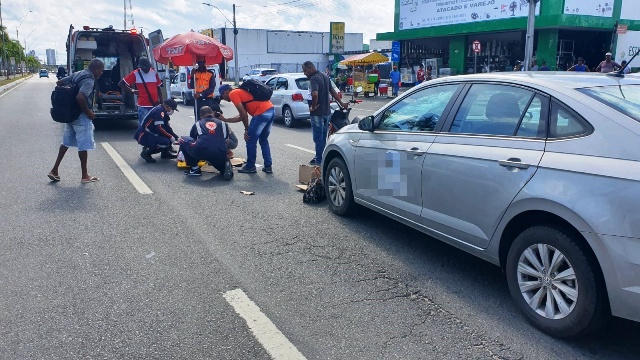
(419, 111)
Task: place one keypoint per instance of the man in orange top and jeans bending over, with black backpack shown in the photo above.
(252, 98)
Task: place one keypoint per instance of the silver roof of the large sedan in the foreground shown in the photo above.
(550, 79)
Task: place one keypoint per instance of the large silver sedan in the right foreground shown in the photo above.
(537, 173)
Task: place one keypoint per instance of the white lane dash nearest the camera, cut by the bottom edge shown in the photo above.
(267, 334)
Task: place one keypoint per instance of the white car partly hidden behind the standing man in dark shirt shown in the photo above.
(290, 97)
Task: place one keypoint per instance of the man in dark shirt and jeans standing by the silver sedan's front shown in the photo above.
(320, 109)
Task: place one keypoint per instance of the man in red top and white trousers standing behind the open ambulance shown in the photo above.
(145, 83)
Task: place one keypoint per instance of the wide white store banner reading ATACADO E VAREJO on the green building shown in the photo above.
(416, 14)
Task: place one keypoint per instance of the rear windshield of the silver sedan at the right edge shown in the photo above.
(624, 98)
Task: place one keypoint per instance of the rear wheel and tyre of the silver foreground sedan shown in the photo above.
(555, 283)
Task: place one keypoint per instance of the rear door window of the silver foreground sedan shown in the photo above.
(492, 109)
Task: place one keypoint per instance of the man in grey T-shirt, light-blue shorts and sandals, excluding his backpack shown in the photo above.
(79, 133)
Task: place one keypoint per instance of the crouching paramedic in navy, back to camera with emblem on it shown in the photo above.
(207, 141)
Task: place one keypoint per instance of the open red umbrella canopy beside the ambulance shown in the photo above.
(183, 49)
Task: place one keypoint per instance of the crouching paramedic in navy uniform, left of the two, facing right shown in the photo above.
(155, 134)
